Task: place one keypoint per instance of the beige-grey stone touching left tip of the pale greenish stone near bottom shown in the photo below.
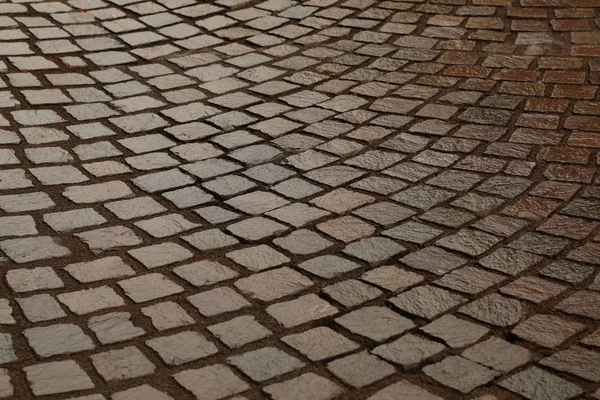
(182, 348)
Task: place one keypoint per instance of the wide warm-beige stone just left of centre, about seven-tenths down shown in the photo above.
(273, 284)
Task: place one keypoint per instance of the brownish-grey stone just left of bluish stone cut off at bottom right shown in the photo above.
(460, 374)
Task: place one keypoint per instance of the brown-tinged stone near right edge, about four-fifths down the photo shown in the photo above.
(547, 330)
